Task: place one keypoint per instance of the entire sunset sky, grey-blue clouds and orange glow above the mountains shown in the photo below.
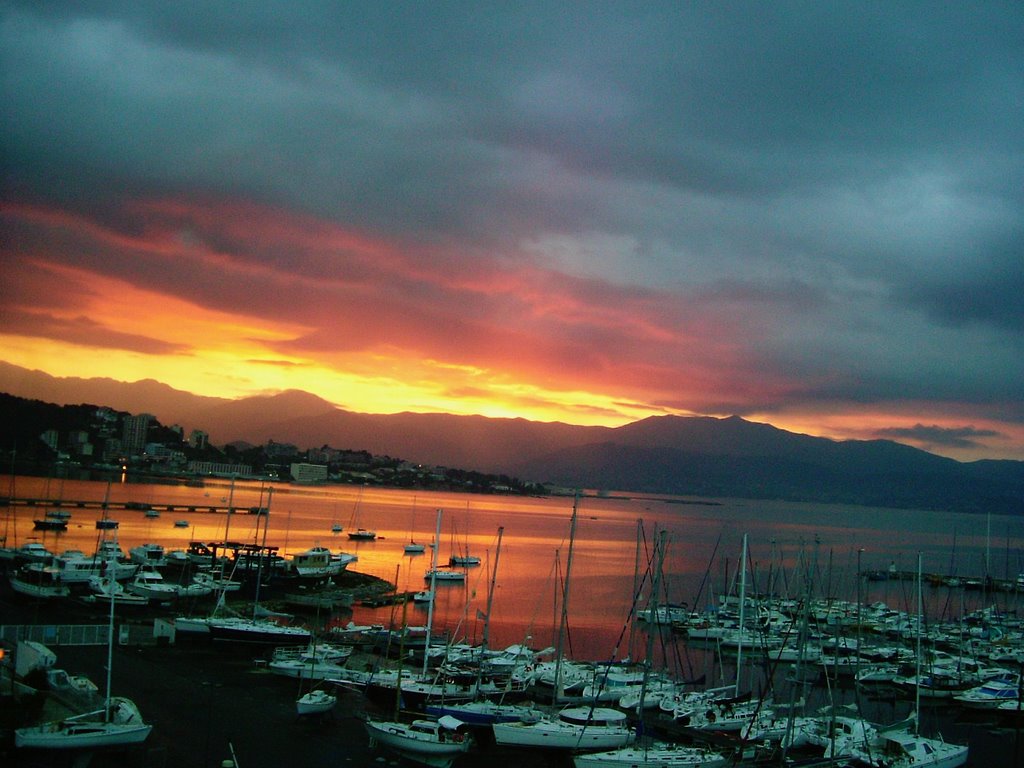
(809, 215)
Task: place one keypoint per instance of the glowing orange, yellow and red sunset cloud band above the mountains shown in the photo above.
(230, 297)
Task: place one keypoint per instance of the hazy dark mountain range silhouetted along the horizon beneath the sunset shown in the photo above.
(697, 456)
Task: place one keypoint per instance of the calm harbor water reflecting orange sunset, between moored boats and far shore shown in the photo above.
(705, 543)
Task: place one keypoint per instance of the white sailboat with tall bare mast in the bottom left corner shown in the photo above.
(118, 724)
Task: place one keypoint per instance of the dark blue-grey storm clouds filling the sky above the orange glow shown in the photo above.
(840, 185)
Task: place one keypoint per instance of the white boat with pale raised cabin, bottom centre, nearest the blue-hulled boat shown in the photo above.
(574, 729)
